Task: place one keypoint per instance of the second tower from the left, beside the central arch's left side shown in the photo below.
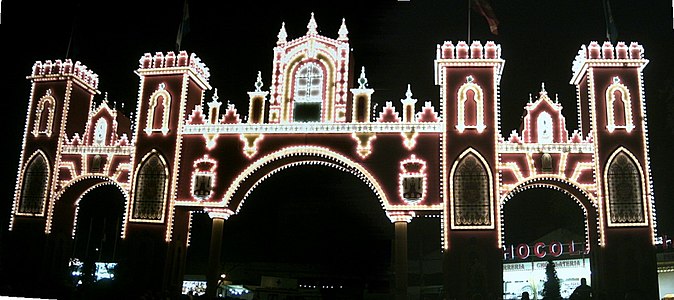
(169, 84)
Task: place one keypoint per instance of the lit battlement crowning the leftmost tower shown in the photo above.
(57, 68)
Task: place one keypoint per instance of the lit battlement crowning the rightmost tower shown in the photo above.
(607, 55)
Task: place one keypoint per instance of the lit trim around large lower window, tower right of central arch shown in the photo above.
(485, 165)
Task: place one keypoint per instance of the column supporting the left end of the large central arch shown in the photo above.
(219, 215)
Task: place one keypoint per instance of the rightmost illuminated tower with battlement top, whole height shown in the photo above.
(612, 110)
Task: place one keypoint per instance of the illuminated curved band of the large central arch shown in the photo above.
(272, 163)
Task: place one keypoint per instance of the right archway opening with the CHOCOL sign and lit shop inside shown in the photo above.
(543, 223)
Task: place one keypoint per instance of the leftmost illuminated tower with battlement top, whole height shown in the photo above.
(56, 88)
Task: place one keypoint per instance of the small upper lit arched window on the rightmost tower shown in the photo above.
(613, 105)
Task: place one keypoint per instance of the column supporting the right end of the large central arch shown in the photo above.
(400, 220)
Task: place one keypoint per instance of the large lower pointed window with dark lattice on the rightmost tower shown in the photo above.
(625, 190)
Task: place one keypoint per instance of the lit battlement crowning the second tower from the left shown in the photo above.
(170, 60)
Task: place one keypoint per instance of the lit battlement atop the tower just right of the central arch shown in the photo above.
(462, 50)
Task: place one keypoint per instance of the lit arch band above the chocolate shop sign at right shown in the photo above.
(587, 203)
